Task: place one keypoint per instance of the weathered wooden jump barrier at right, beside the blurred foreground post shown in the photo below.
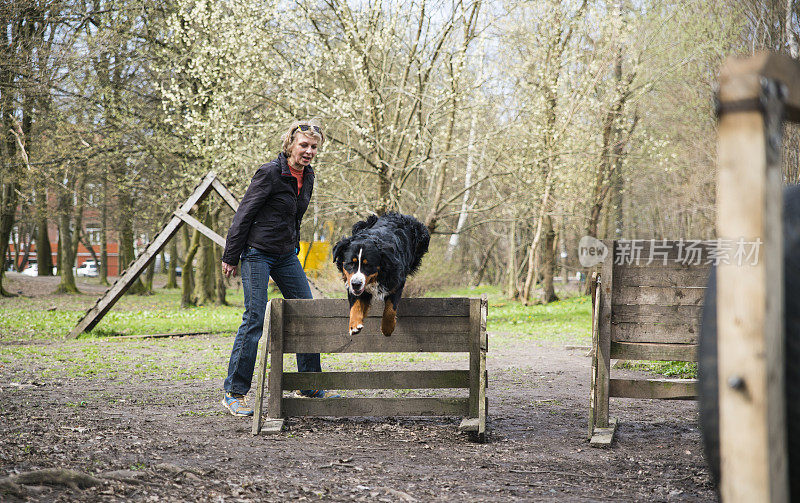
(647, 305)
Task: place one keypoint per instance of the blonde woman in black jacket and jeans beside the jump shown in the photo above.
(265, 234)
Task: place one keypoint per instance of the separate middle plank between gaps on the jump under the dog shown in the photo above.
(386, 379)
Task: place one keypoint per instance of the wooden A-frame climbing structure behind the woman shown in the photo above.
(180, 216)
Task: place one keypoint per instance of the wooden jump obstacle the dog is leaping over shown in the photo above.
(423, 325)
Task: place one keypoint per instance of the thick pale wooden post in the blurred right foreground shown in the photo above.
(750, 337)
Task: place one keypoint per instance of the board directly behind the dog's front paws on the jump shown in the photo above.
(301, 326)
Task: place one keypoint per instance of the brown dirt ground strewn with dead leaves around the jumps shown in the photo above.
(146, 438)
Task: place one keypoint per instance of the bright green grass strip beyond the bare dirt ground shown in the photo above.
(568, 320)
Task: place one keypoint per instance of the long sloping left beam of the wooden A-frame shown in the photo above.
(113, 294)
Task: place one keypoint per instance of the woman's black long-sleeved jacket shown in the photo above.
(270, 212)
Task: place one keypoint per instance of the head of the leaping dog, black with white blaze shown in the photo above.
(359, 261)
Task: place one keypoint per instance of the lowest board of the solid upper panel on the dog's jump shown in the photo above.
(371, 342)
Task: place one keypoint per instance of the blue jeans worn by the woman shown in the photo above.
(256, 268)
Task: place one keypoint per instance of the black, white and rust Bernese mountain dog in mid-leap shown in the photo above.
(375, 262)
